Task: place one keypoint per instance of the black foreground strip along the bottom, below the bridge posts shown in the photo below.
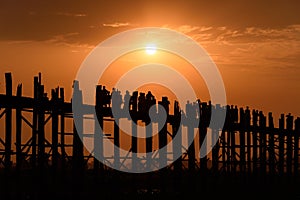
(156, 185)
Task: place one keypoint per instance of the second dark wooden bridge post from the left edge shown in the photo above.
(19, 130)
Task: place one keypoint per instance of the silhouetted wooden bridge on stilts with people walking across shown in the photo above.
(248, 145)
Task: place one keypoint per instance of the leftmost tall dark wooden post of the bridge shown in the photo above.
(8, 123)
